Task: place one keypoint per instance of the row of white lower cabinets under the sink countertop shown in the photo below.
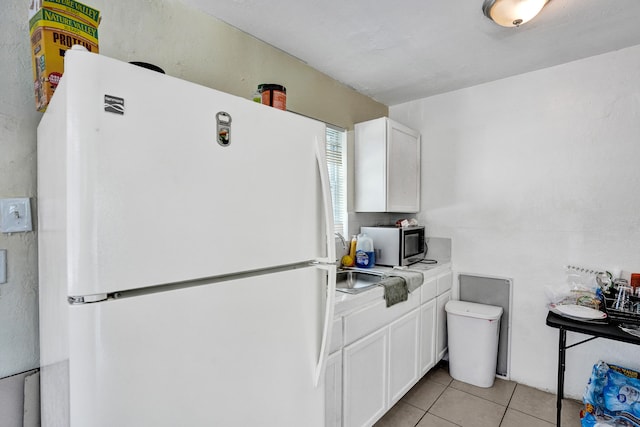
(385, 352)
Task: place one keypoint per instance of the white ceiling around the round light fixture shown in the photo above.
(409, 49)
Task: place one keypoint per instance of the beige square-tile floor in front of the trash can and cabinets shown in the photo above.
(440, 401)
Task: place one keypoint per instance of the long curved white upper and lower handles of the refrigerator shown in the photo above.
(329, 263)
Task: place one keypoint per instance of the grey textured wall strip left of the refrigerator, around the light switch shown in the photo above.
(18, 121)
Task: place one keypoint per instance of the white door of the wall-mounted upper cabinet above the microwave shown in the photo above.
(403, 168)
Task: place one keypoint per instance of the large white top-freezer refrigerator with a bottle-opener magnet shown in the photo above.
(186, 254)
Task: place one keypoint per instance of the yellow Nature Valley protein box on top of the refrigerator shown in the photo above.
(52, 34)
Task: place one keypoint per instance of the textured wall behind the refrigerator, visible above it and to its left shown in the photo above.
(187, 44)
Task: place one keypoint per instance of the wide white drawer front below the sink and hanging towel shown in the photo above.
(375, 316)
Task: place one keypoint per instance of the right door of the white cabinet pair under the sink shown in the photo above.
(404, 351)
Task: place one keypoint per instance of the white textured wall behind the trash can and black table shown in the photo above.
(532, 173)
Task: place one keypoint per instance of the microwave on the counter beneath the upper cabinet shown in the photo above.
(397, 246)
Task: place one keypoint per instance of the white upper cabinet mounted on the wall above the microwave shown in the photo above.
(387, 167)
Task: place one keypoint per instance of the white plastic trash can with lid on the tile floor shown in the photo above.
(473, 331)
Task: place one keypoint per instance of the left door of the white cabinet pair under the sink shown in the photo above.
(365, 365)
